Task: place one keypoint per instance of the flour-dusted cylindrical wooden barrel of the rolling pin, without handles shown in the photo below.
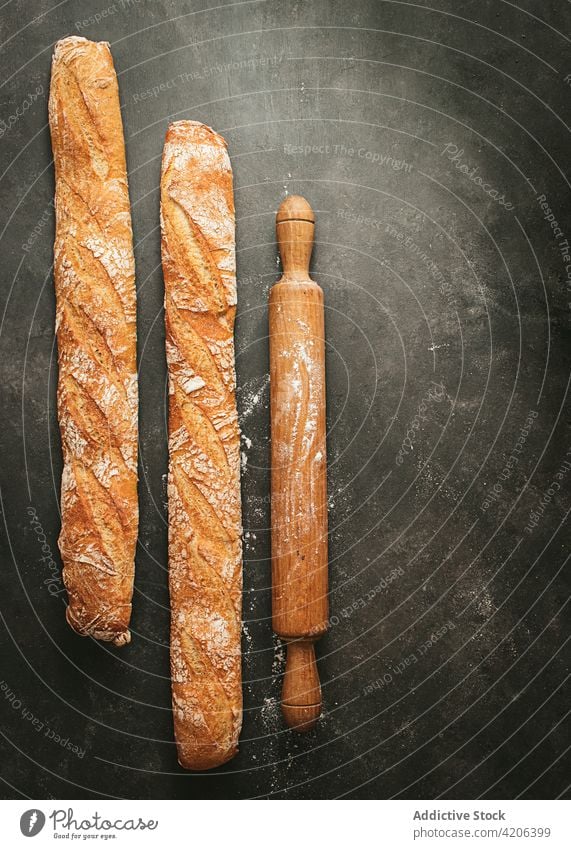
(299, 483)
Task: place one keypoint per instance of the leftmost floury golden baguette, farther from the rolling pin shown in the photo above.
(96, 334)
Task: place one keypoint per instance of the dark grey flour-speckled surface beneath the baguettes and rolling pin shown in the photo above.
(444, 669)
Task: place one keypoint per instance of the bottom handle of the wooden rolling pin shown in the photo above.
(301, 693)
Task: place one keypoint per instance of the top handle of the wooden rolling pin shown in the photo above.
(295, 225)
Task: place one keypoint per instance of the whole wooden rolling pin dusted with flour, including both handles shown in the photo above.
(299, 473)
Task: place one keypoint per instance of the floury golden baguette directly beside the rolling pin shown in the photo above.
(205, 551)
